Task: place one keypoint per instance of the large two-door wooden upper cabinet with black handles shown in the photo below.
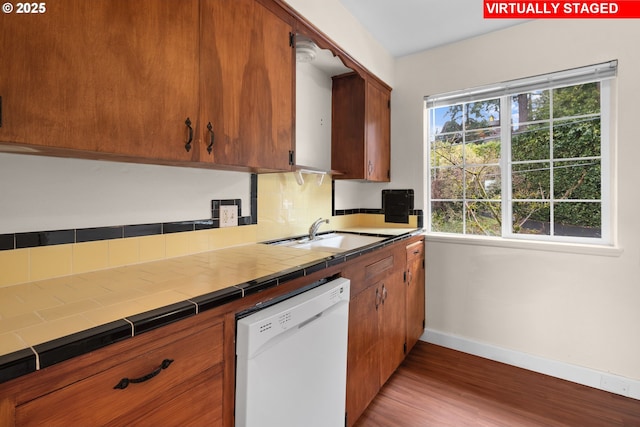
(120, 78)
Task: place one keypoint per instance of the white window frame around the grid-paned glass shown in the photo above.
(603, 73)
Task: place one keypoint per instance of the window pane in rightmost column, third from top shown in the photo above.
(577, 180)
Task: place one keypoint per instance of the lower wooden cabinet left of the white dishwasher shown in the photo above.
(173, 376)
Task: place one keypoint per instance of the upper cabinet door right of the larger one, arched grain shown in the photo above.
(247, 84)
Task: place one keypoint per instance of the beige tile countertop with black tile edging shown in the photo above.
(46, 322)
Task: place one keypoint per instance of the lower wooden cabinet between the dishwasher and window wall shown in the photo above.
(383, 310)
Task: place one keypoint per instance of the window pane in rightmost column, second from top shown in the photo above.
(576, 138)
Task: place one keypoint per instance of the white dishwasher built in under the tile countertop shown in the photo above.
(292, 360)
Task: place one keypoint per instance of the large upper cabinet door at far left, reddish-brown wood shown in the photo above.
(110, 76)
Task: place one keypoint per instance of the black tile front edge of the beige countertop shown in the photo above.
(25, 361)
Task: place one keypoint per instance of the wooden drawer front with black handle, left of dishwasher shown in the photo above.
(95, 401)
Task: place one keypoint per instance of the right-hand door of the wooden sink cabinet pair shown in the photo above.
(392, 325)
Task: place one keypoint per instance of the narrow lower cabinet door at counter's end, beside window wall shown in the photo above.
(415, 283)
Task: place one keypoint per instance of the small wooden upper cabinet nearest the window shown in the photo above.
(360, 140)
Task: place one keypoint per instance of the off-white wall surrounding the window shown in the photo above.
(576, 308)
